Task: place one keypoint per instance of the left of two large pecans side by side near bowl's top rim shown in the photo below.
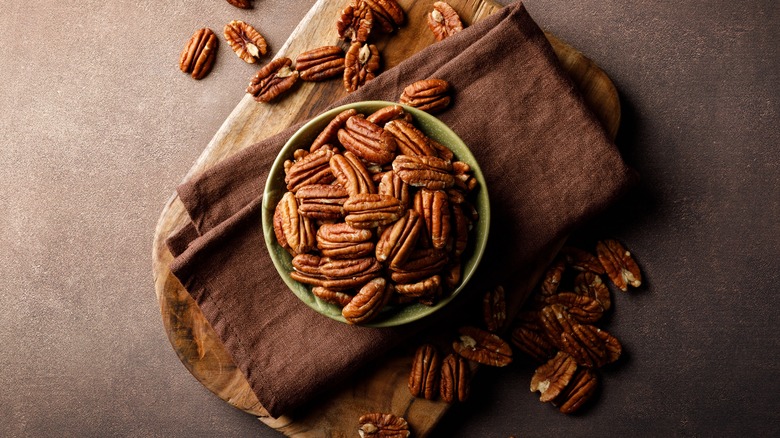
(367, 140)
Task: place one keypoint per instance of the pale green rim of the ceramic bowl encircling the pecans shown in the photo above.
(277, 253)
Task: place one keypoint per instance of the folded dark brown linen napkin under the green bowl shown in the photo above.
(548, 164)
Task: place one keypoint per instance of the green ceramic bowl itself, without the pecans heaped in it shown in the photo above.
(275, 188)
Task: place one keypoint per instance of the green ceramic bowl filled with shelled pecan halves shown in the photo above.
(375, 214)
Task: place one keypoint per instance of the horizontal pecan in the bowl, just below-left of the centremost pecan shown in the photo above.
(339, 241)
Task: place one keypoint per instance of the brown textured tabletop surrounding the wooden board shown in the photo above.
(97, 126)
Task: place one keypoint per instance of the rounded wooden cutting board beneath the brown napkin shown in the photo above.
(382, 388)
